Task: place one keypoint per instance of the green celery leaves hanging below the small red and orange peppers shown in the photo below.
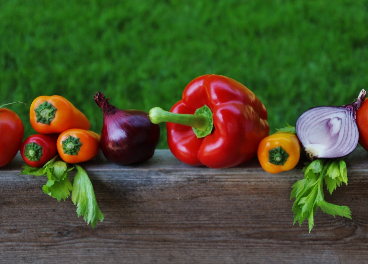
(60, 187)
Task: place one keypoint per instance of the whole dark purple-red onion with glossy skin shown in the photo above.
(128, 136)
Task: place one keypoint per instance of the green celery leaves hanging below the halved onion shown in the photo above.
(308, 192)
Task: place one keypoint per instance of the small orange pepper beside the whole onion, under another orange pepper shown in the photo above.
(78, 145)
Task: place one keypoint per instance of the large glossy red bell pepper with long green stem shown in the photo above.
(228, 122)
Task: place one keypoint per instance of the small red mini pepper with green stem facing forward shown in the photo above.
(38, 149)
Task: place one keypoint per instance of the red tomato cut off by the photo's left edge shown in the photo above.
(11, 135)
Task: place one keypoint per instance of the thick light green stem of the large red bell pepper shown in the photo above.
(201, 121)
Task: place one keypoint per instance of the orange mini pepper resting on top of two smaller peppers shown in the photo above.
(55, 114)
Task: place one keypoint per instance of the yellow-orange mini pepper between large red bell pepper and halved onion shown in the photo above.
(279, 152)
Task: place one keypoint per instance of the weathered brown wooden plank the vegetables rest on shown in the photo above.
(164, 211)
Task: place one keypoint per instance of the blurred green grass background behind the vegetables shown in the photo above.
(292, 54)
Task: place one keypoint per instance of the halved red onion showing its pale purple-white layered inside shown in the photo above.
(329, 131)
